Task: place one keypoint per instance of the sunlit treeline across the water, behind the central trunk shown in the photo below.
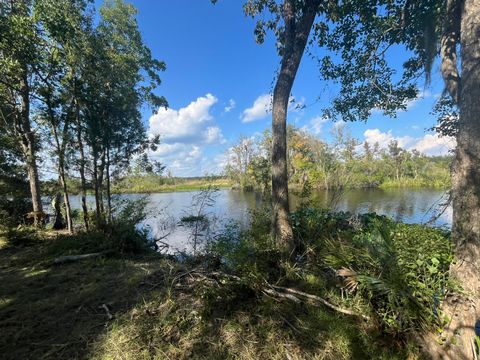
(344, 163)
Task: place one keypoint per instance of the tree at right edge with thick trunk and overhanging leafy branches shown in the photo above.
(427, 29)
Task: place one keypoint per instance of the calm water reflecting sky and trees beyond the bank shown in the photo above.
(167, 209)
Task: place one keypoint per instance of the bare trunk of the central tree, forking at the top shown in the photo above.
(296, 36)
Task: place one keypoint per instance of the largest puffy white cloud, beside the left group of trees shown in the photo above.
(185, 134)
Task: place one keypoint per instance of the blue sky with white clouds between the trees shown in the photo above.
(218, 83)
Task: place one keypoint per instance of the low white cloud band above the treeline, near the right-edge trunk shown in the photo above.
(429, 144)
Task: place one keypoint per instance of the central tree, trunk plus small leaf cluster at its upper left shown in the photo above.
(292, 22)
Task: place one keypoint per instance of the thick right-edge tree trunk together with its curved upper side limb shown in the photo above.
(463, 310)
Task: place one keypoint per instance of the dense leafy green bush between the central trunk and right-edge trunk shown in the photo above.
(399, 270)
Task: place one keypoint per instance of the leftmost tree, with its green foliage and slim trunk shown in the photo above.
(20, 57)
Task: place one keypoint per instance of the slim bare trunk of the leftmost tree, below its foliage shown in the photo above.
(29, 151)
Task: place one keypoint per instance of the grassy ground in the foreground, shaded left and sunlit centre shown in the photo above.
(160, 311)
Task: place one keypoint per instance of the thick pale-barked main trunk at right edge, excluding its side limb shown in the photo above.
(466, 179)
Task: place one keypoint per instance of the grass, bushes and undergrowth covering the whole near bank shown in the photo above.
(213, 305)
